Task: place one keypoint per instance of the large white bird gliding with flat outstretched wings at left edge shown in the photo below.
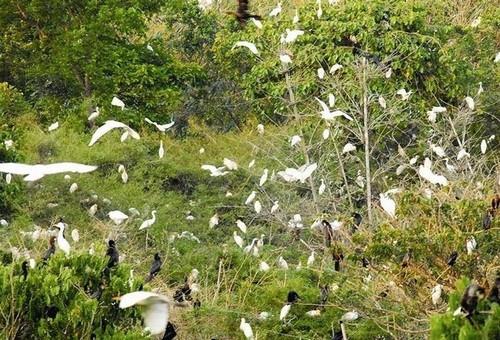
(35, 172)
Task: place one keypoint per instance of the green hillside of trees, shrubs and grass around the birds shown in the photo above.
(440, 60)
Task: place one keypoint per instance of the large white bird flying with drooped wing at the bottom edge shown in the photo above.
(155, 312)
